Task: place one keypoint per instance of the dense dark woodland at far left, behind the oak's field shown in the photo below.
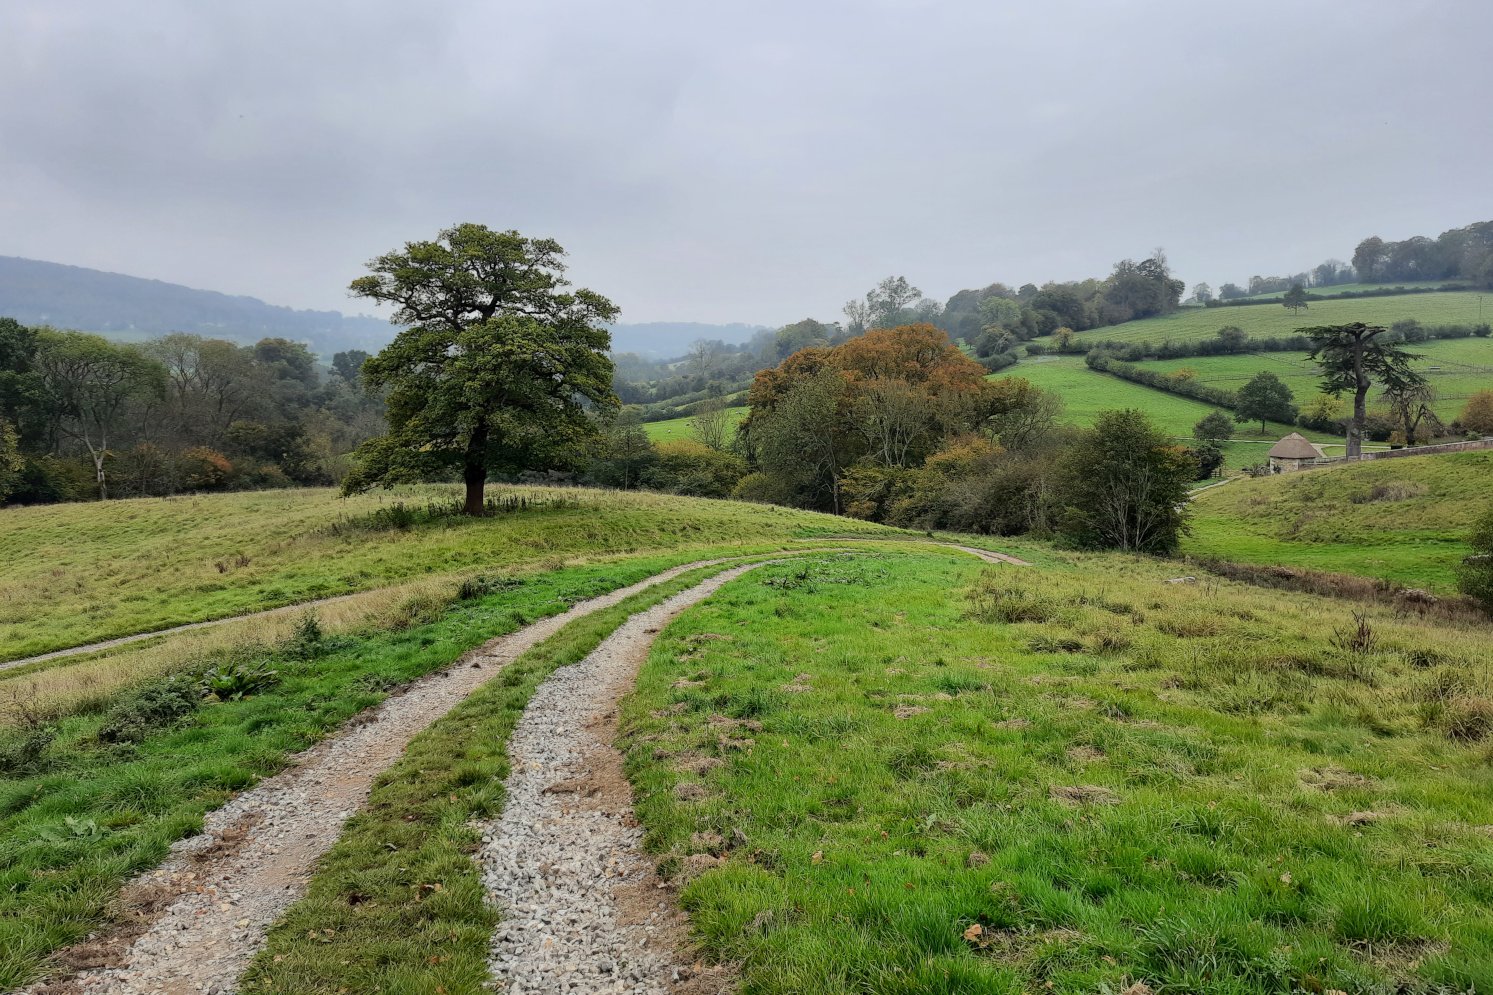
(83, 418)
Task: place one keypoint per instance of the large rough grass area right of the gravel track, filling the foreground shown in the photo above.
(925, 776)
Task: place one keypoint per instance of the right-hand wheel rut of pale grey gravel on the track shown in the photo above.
(582, 911)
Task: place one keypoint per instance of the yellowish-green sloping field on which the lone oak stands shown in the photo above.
(78, 574)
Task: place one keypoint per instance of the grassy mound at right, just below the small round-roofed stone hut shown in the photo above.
(1403, 521)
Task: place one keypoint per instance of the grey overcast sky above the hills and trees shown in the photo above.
(737, 162)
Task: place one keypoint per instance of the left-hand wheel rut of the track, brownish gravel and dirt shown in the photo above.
(202, 915)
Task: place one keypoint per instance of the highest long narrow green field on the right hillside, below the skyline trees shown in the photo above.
(1201, 323)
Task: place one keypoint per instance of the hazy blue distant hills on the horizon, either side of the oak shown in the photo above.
(123, 307)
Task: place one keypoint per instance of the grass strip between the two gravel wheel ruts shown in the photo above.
(398, 906)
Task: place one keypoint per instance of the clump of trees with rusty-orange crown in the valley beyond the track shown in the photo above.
(900, 427)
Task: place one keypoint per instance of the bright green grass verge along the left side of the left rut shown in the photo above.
(102, 794)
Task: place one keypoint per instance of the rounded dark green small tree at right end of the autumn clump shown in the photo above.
(1123, 485)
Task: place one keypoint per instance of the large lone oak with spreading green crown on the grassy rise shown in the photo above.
(499, 368)
